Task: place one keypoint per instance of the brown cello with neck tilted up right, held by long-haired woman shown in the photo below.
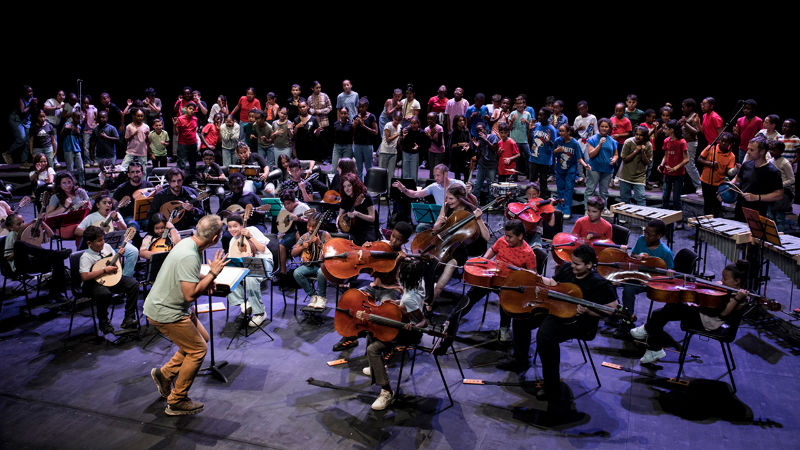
(460, 228)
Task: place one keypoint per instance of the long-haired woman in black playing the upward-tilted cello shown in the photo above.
(457, 199)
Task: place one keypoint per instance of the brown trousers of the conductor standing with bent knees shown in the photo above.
(190, 337)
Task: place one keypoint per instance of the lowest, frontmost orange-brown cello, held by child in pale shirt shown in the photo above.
(357, 312)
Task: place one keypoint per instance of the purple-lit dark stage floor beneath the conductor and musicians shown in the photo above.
(86, 392)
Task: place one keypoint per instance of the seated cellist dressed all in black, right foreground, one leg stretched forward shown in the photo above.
(553, 330)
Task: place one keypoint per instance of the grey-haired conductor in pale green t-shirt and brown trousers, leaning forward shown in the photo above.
(168, 308)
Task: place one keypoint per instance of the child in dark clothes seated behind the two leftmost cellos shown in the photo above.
(385, 285)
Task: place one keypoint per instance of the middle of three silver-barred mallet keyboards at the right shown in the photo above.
(727, 236)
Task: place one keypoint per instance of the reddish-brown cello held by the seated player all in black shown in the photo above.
(524, 292)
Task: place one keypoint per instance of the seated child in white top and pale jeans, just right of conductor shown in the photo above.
(256, 246)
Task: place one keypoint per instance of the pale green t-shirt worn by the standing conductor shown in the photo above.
(165, 302)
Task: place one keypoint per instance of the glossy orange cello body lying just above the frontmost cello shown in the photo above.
(343, 259)
